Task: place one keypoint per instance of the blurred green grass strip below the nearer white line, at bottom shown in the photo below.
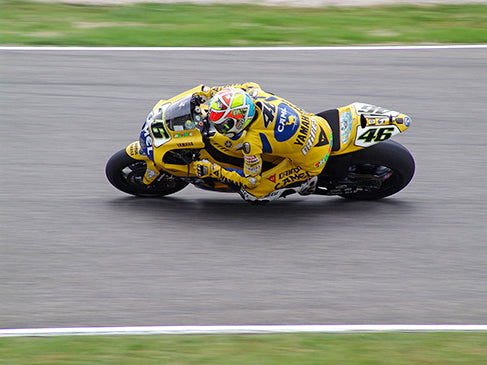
(356, 349)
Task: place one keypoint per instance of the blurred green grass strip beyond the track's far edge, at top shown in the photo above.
(162, 25)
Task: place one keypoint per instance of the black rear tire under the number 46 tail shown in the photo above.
(390, 161)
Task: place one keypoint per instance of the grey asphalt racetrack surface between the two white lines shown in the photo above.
(76, 252)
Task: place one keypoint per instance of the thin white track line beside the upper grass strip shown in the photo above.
(237, 49)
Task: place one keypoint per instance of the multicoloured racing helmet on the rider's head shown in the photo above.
(231, 110)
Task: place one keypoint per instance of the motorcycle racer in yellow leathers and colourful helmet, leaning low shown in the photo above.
(266, 125)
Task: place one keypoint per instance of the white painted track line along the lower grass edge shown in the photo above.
(228, 330)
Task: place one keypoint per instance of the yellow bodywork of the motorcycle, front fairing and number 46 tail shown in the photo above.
(357, 126)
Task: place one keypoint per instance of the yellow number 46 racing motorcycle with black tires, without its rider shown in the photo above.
(364, 164)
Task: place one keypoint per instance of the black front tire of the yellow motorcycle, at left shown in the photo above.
(126, 174)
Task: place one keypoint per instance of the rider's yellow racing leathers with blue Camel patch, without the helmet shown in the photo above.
(301, 141)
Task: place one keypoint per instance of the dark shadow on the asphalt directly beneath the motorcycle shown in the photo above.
(235, 210)
